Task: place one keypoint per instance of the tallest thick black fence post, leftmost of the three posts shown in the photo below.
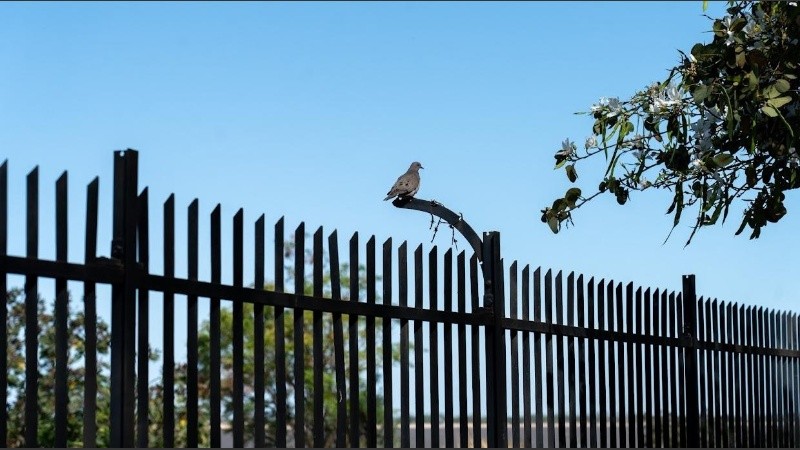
(123, 311)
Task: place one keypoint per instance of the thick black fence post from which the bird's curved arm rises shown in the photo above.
(497, 432)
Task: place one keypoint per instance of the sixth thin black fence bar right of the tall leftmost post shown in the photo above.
(259, 434)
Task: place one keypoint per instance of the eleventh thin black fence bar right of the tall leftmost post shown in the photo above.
(355, 405)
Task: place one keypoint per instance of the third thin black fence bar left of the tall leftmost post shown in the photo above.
(32, 313)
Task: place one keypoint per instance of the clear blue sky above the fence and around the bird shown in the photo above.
(311, 110)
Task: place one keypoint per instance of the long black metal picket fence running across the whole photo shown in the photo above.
(516, 358)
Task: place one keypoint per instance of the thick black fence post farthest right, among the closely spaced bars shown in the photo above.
(690, 361)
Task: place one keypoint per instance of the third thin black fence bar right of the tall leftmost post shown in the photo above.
(192, 416)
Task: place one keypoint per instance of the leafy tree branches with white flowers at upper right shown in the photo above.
(721, 127)
